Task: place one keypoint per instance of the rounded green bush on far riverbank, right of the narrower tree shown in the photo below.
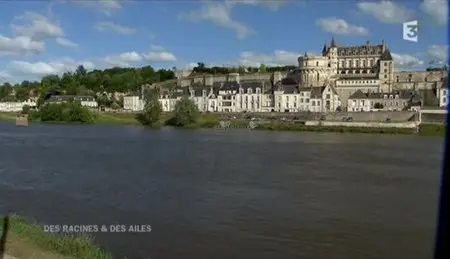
(185, 114)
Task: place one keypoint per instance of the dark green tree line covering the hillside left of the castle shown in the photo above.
(82, 82)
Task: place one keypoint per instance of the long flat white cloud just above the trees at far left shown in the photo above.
(40, 69)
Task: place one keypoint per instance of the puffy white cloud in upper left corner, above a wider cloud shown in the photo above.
(37, 27)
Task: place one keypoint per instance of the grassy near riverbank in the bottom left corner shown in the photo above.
(28, 240)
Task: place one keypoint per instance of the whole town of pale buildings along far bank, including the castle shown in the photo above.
(344, 78)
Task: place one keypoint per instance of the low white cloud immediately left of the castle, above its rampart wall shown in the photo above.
(277, 58)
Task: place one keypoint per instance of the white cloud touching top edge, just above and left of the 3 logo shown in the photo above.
(386, 11)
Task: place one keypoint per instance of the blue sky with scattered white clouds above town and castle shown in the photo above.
(51, 37)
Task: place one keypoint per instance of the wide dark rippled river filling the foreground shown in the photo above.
(228, 193)
